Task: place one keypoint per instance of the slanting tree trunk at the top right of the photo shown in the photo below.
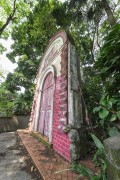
(109, 13)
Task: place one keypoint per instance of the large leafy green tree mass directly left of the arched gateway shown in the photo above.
(30, 36)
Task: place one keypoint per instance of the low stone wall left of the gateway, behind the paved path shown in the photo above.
(13, 123)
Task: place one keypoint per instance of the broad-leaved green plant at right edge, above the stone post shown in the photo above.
(109, 113)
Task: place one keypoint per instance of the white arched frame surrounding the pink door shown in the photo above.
(41, 82)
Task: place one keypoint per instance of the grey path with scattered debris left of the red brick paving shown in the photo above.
(13, 161)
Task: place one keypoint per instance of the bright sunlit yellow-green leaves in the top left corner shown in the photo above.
(12, 12)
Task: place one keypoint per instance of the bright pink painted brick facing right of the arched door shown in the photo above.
(60, 103)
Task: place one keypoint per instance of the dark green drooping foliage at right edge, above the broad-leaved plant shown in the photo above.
(108, 62)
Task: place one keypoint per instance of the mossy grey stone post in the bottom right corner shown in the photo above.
(112, 151)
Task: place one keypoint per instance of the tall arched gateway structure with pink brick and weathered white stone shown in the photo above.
(57, 111)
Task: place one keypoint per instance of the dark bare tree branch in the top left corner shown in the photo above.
(10, 17)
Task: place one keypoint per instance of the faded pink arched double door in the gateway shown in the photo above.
(45, 114)
